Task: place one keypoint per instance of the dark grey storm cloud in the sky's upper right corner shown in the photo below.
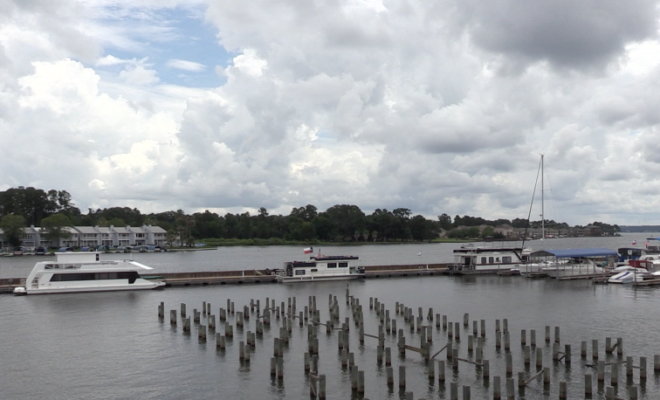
(573, 34)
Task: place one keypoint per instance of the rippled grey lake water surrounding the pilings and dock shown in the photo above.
(113, 346)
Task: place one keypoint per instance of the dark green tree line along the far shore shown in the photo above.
(53, 210)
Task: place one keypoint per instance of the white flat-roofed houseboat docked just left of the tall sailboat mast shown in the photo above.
(473, 258)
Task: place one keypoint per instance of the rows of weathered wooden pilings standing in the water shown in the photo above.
(311, 317)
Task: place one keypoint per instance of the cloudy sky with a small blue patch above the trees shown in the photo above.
(441, 107)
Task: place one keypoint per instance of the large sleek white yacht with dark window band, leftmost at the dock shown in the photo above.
(85, 272)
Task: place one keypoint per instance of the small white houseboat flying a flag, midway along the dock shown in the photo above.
(321, 268)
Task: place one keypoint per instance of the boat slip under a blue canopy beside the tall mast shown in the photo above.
(575, 263)
